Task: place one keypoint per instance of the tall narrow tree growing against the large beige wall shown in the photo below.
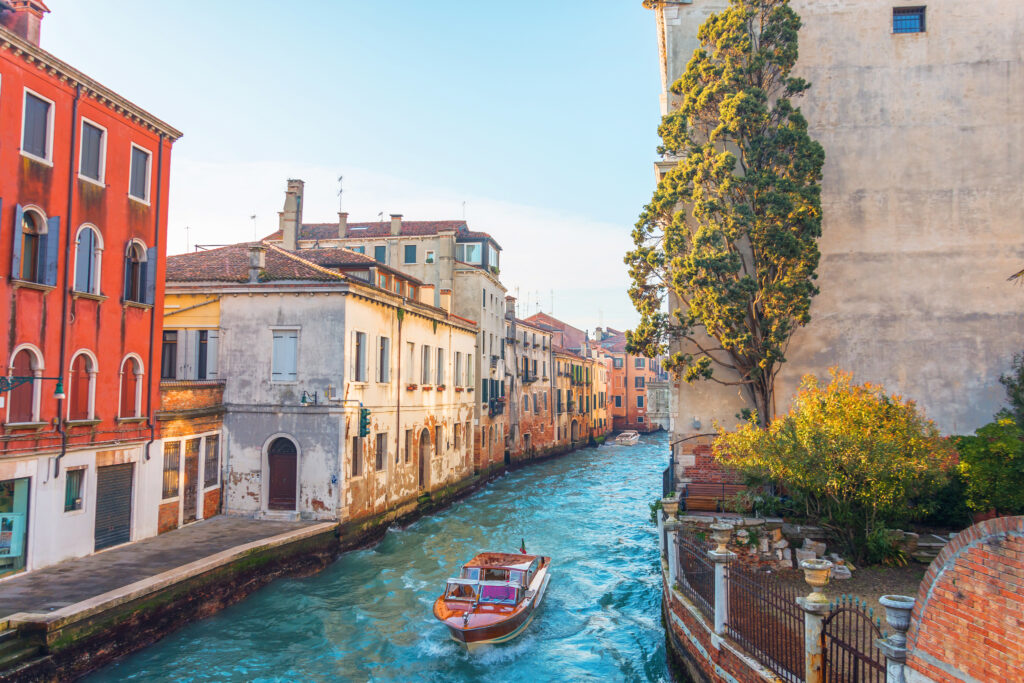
(732, 232)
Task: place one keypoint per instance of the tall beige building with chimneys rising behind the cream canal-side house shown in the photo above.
(459, 264)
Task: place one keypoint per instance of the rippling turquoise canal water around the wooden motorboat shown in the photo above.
(368, 617)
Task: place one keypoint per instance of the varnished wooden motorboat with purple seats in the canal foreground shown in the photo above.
(495, 597)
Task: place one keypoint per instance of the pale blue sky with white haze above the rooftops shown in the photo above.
(536, 121)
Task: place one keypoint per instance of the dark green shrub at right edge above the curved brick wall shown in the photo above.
(993, 467)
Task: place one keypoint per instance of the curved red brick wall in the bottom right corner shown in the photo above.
(968, 623)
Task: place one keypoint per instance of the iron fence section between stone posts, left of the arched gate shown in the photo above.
(764, 618)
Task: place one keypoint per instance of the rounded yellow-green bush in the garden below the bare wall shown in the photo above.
(852, 459)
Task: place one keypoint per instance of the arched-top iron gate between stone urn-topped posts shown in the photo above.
(849, 655)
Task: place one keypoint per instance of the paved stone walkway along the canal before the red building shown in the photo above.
(162, 559)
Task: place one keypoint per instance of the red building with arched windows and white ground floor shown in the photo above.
(83, 220)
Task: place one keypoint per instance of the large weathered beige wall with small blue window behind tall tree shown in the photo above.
(921, 113)
